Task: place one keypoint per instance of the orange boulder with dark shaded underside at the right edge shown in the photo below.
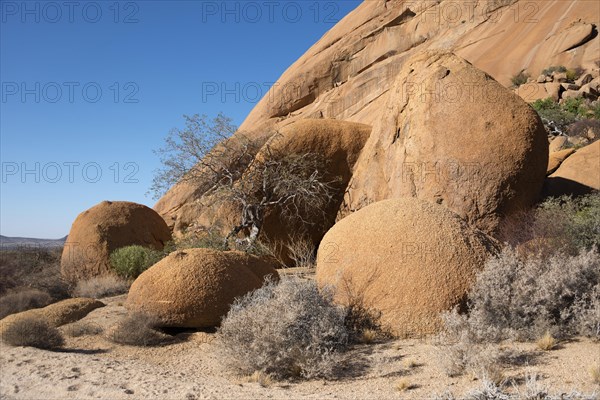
(578, 174)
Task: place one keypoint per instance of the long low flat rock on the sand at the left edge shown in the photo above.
(57, 314)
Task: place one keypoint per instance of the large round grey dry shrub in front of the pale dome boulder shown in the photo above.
(290, 329)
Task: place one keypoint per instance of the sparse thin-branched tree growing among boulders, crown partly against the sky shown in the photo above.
(226, 168)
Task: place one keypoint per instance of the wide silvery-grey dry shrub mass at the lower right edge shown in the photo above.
(515, 298)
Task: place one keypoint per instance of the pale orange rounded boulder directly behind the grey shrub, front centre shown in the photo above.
(409, 258)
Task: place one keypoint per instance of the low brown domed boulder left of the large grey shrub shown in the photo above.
(194, 288)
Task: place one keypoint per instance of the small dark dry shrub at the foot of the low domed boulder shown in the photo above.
(138, 329)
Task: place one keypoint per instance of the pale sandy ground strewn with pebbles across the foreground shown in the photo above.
(90, 367)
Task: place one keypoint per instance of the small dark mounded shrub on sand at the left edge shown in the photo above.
(33, 332)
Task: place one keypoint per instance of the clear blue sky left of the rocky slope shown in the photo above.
(92, 87)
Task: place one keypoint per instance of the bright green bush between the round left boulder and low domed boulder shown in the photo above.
(131, 261)
